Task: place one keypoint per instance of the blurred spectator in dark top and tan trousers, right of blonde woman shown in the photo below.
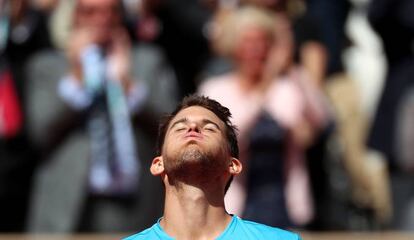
(317, 47)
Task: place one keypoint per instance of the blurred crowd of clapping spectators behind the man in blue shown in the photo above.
(83, 84)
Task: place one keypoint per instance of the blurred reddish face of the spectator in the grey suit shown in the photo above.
(100, 17)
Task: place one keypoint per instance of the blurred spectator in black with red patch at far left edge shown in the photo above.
(23, 32)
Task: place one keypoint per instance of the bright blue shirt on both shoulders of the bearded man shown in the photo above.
(237, 229)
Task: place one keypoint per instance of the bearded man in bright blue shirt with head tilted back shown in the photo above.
(198, 157)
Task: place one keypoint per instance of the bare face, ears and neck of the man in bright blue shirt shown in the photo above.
(195, 166)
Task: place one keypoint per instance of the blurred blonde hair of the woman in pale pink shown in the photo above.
(229, 25)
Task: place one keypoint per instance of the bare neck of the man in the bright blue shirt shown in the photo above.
(194, 213)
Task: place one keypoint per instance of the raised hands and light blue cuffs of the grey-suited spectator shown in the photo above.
(86, 76)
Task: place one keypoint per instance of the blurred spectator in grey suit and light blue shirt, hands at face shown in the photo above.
(95, 126)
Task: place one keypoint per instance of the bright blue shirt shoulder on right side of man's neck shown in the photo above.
(268, 232)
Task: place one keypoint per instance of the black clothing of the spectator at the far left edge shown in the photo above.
(17, 160)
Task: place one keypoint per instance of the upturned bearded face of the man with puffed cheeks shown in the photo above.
(195, 139)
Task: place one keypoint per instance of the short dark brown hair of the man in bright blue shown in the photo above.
(219, 110)
